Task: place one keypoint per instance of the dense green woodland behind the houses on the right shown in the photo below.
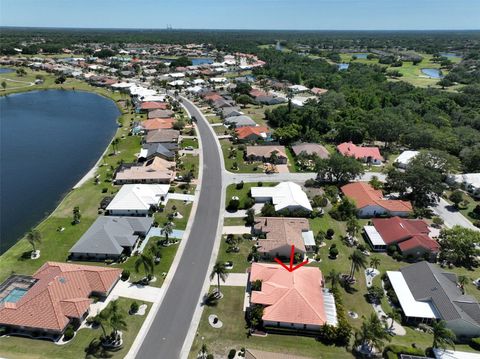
(362, 106)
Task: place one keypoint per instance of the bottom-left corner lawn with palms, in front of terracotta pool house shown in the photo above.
(23, 348)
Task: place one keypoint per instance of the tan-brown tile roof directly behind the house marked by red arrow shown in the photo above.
(281, 232)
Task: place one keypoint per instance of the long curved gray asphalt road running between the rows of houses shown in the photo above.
(168, 331)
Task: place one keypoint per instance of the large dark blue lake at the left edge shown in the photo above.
(48, 141)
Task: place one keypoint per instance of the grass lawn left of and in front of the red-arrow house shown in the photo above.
(233, 334)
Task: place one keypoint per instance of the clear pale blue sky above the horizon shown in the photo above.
(245, 14)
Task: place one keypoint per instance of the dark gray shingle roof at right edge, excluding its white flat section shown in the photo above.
(428, 282)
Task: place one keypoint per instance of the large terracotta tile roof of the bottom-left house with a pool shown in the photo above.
(61, 292)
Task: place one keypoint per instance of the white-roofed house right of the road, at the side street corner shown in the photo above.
(286, 195)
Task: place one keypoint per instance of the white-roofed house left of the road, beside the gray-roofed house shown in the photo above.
(137, 199)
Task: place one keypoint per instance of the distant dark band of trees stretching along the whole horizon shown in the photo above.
(242, 40)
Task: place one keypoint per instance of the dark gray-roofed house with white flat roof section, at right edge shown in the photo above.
(428, 292)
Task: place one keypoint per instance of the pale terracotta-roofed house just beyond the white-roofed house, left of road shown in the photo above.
(155, 170)
